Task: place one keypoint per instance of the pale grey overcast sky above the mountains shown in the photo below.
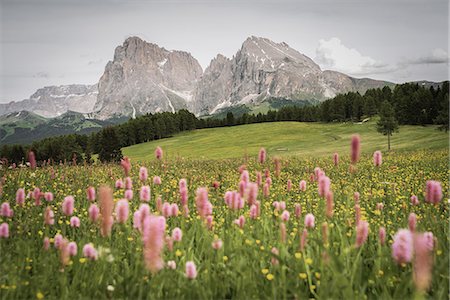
(56, 42)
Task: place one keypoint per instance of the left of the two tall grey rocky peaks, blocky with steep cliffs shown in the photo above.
(144, 77)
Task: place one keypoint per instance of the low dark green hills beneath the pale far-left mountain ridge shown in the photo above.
(25, 127)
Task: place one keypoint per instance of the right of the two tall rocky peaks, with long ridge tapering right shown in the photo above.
(263, 69)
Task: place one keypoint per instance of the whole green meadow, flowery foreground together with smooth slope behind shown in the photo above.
(274, 253)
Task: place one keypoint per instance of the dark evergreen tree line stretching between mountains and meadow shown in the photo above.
(410, 104)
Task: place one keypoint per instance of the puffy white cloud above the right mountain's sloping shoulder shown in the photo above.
(334, 55)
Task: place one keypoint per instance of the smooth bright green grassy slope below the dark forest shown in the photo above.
(287, 138)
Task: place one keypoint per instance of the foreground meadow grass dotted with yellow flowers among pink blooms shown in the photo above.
(330, 265)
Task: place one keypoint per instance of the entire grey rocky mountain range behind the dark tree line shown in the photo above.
(145, 78)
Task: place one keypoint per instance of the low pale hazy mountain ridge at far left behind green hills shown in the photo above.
(53, 101)
